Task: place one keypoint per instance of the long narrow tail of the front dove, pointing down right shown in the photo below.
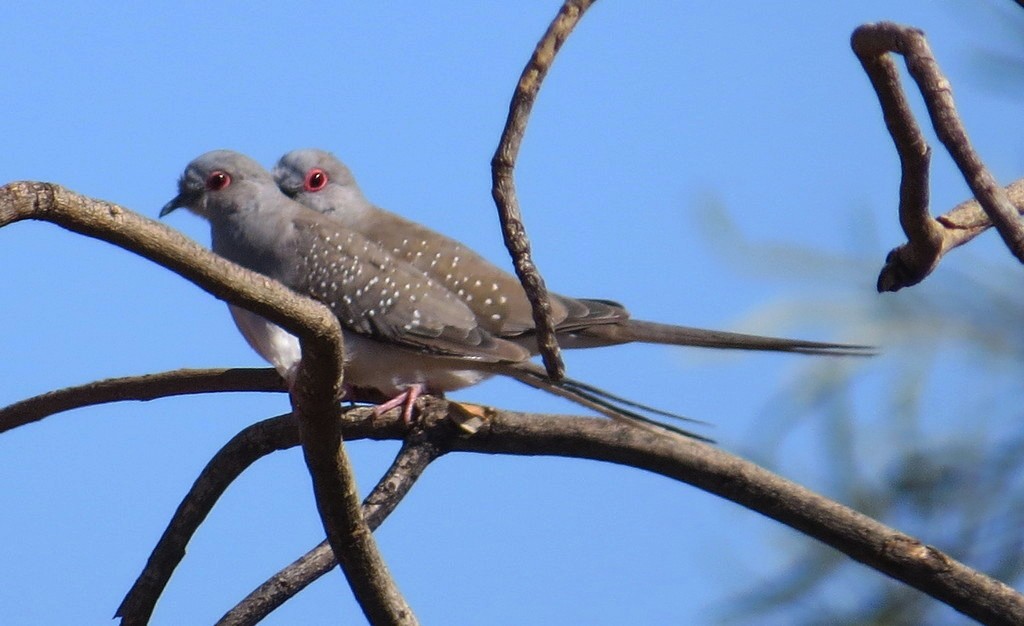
(599, 400)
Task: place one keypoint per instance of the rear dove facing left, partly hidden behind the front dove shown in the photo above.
(318, 180)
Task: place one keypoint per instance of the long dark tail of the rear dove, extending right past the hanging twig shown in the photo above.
(629, 331)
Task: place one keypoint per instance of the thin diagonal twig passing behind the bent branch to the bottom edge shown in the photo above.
(417, 453)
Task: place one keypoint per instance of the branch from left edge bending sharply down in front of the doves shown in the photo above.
(318, 385)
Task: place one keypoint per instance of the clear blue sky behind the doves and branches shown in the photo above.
(649, 115)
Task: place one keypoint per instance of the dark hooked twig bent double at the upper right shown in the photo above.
(928, 239)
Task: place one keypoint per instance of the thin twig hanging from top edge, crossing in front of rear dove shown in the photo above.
(503, 185)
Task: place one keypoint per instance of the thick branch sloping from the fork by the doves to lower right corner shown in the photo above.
(716, 472)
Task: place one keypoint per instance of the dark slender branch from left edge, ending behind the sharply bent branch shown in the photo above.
(144, 389)
